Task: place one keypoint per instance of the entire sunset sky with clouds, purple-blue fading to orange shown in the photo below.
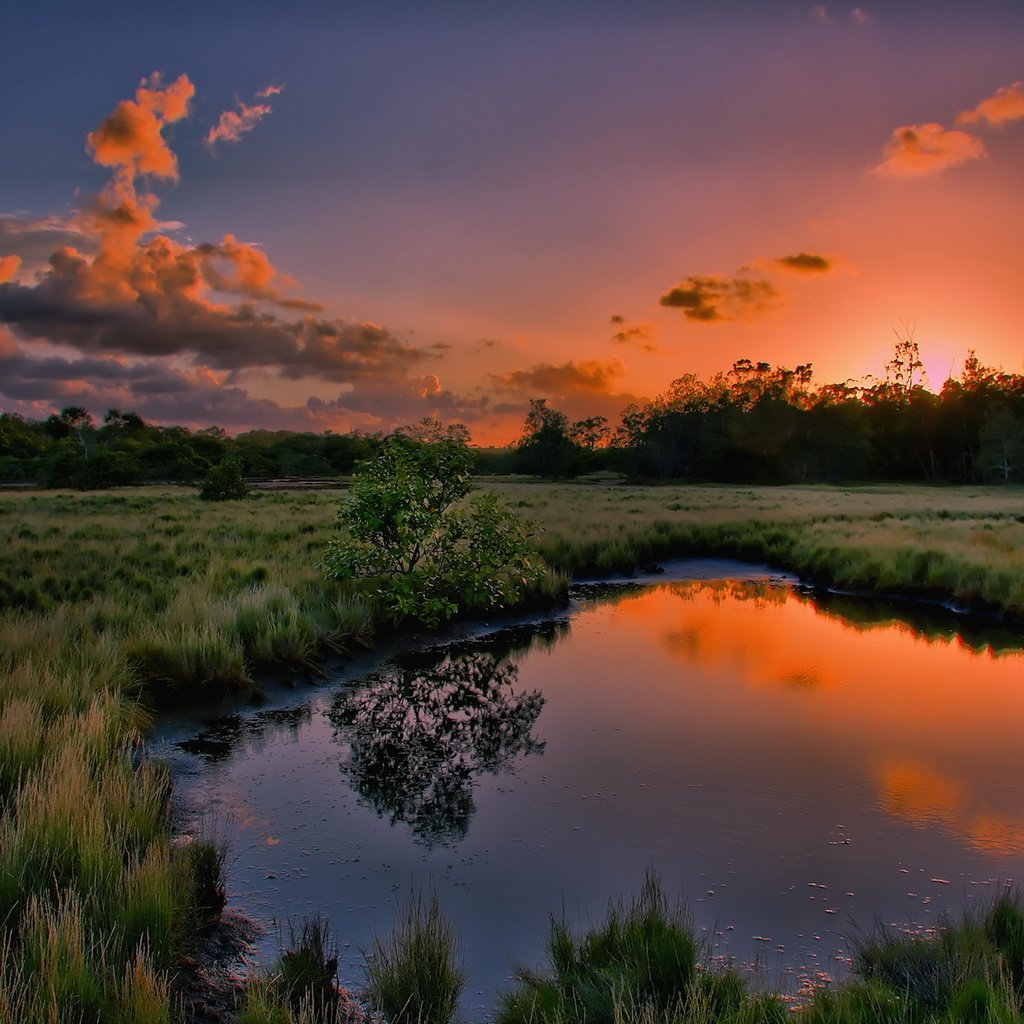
(353, 216)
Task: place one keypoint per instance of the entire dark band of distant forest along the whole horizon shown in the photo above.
(753, 424)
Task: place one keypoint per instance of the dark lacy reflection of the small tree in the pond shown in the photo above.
(421, 730)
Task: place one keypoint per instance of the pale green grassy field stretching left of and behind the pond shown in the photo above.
(113, 604)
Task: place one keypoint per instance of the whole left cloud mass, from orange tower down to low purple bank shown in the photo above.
(186, 333)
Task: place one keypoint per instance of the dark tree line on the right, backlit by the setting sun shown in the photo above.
(762, 424)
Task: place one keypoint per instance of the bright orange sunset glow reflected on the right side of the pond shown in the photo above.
(933, 726)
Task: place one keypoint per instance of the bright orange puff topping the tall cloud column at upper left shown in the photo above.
(132, 138)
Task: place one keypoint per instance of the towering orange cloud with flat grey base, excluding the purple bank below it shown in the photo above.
(143, 296)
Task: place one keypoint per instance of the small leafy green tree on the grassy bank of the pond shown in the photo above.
(433, 557)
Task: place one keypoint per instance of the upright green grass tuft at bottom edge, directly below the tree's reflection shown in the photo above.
(415, 975)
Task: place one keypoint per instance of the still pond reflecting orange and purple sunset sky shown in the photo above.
(796, 770)
